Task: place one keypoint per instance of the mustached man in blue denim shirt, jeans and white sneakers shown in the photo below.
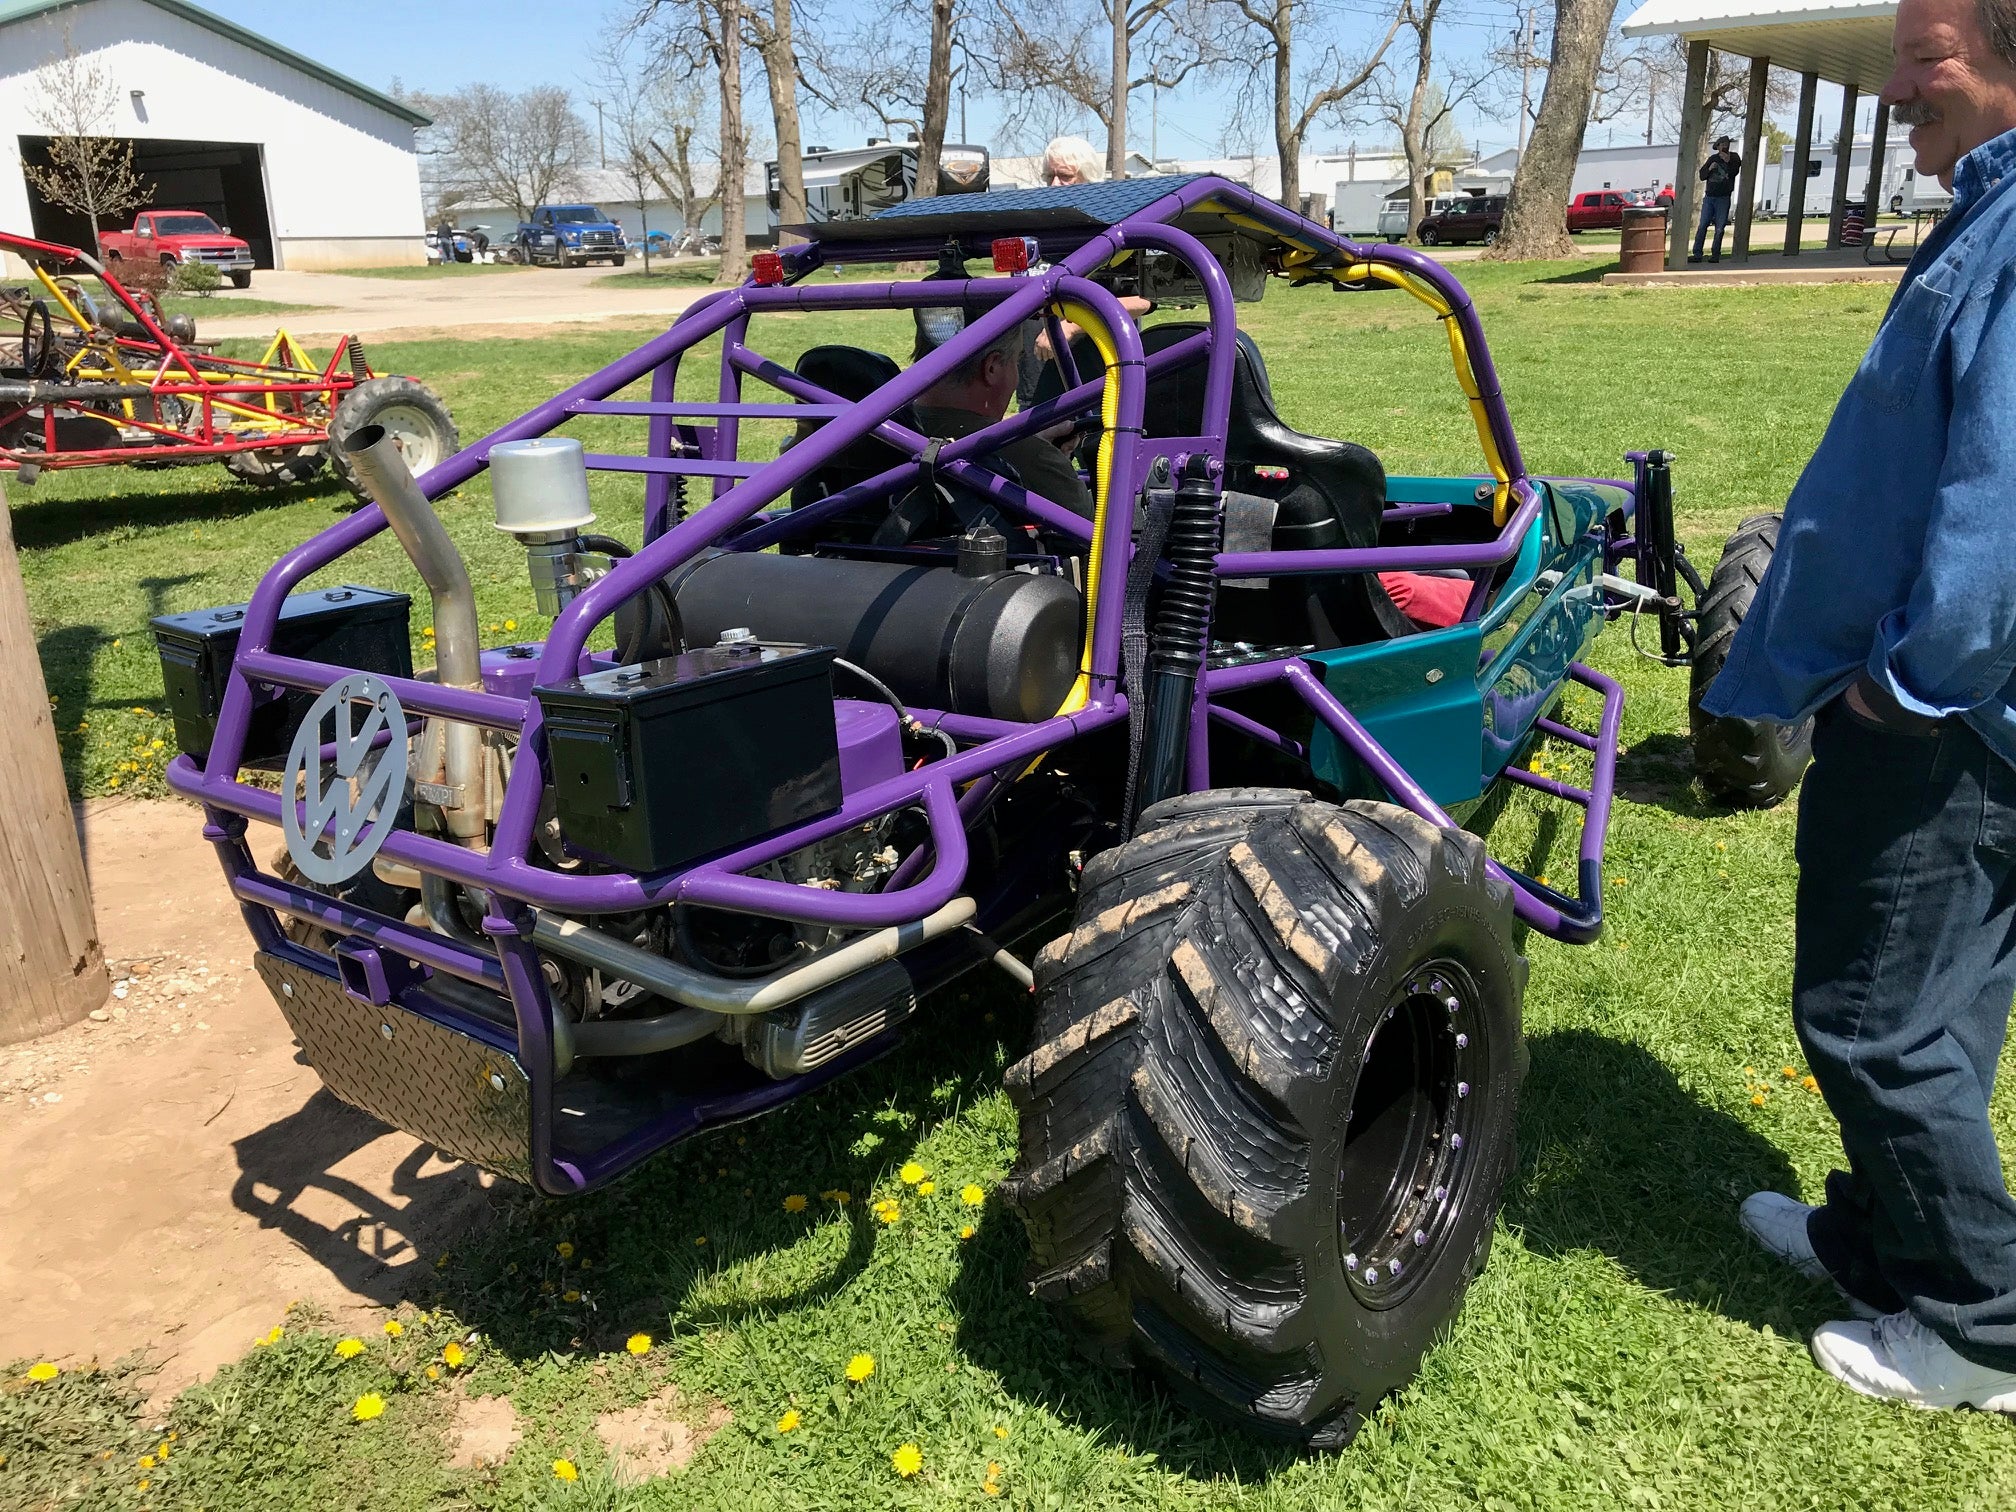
(1890, 612)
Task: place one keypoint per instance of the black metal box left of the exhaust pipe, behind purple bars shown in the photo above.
(362, 630)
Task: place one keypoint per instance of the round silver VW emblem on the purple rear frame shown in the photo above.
(354, 799)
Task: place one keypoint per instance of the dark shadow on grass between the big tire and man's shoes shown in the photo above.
(1616, 1156)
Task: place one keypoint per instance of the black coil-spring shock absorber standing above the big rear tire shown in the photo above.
(1182, 630)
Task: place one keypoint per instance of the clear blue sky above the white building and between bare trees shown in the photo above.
(519, 43)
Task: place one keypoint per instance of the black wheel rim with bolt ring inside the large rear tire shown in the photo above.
(1410, 1136)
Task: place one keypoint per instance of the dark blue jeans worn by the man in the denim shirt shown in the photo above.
(1902, 983)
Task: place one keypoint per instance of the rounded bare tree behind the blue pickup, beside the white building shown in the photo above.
(493, 148)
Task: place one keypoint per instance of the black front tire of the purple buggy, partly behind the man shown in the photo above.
(1743, 763)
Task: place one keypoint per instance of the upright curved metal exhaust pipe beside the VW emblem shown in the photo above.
(453, 753)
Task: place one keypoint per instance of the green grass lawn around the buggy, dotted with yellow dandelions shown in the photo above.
(1626, 1348)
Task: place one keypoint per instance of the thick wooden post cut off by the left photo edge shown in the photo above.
(51, 963)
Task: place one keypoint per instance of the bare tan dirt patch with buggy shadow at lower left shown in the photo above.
(223, 1180)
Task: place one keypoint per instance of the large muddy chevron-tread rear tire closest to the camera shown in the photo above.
(1247, 1072)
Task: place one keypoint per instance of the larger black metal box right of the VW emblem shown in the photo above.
(668, 761)
